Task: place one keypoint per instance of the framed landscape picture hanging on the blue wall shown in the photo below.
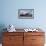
(26, 13)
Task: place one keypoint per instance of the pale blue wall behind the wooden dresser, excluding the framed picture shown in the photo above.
(9, 13)
